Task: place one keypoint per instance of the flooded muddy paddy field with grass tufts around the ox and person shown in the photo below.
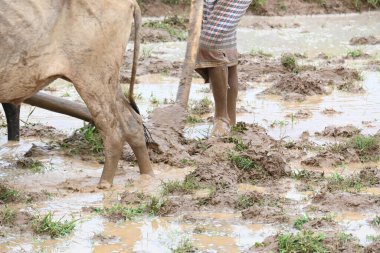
(302, 170)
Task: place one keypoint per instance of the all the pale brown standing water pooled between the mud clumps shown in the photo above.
(73, 181)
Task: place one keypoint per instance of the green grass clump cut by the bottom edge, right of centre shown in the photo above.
(303, 242)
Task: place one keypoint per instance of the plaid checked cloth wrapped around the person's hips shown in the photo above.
(220, 20)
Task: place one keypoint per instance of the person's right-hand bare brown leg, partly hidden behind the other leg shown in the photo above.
(232, 93)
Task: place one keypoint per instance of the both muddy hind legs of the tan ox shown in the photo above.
(117, 123)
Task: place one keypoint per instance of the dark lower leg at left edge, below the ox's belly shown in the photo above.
(12, 114)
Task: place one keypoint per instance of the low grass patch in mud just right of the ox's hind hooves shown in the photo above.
(186, 187)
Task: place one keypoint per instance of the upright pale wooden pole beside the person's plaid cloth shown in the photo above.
(195, 26)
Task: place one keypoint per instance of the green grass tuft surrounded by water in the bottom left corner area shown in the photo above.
(46, 225)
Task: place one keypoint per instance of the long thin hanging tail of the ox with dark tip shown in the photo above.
(136, 53)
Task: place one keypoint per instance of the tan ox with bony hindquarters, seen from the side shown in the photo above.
(82, 41)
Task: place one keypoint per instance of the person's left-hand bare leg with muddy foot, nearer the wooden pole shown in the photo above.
(219, 78)
